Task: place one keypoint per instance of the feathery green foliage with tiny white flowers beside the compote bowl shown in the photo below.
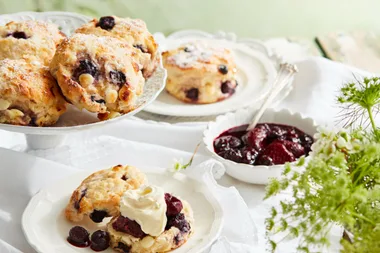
(340, 184)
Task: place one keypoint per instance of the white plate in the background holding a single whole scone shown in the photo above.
(256, 72)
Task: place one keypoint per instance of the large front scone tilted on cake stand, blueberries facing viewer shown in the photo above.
(100, 74)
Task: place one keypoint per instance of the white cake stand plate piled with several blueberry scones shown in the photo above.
(74, 119)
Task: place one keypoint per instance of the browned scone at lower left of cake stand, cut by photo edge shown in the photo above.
(29, 95)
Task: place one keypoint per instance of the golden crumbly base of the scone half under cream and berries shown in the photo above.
(169, 240)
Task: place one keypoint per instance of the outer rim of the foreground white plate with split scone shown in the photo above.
(215, 231)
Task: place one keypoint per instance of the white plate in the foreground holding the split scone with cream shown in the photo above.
(46, 228)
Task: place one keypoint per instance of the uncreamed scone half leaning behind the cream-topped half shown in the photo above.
(98, 196)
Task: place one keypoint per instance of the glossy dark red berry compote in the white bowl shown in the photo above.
(266, 144)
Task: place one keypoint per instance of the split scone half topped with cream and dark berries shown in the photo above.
(150, 221)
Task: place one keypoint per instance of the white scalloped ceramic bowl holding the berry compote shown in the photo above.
(256, 174)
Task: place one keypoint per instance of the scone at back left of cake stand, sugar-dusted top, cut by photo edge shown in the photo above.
(30, 40)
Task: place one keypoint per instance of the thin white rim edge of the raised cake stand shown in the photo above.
(66, 129)
